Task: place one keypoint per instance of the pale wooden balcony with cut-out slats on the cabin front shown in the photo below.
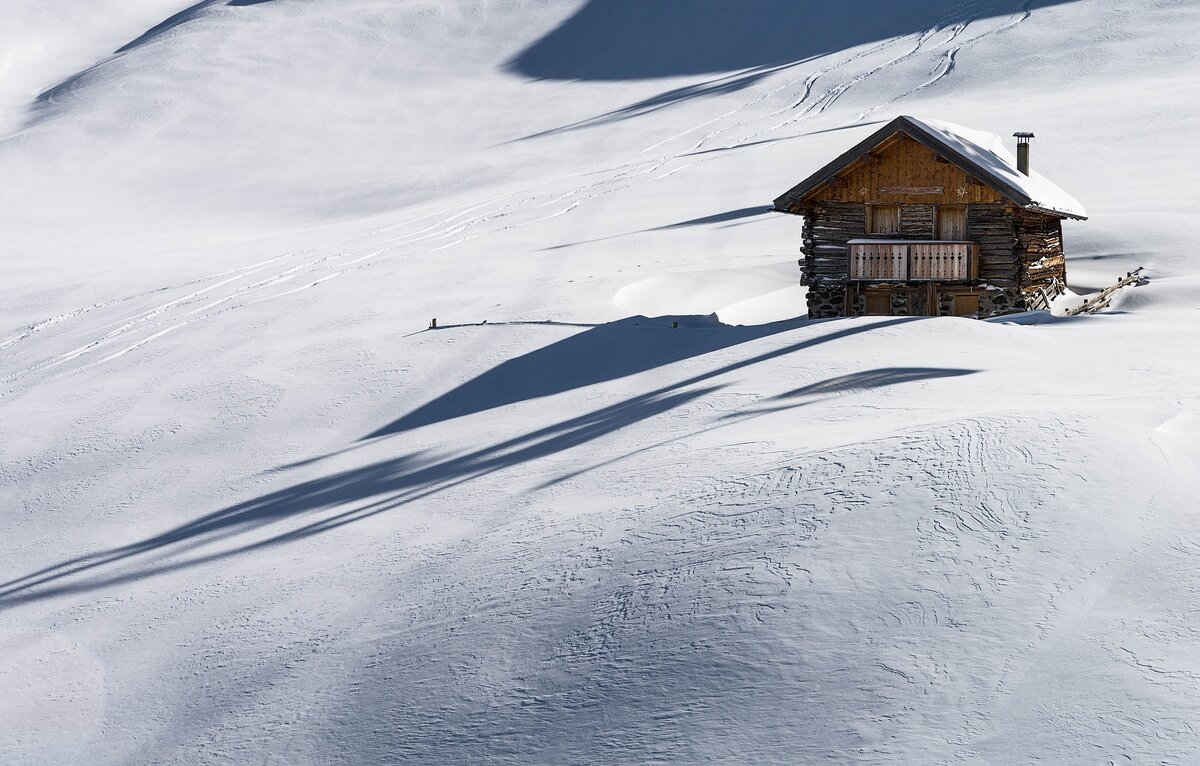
(913, 261)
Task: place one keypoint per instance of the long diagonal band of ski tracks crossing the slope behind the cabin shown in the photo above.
(523, 208)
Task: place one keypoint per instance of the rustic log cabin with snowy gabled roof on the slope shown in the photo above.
(931, 219)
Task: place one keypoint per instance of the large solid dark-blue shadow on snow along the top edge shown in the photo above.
(621, 40)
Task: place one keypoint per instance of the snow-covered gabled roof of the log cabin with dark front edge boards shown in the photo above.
(979, 153)
